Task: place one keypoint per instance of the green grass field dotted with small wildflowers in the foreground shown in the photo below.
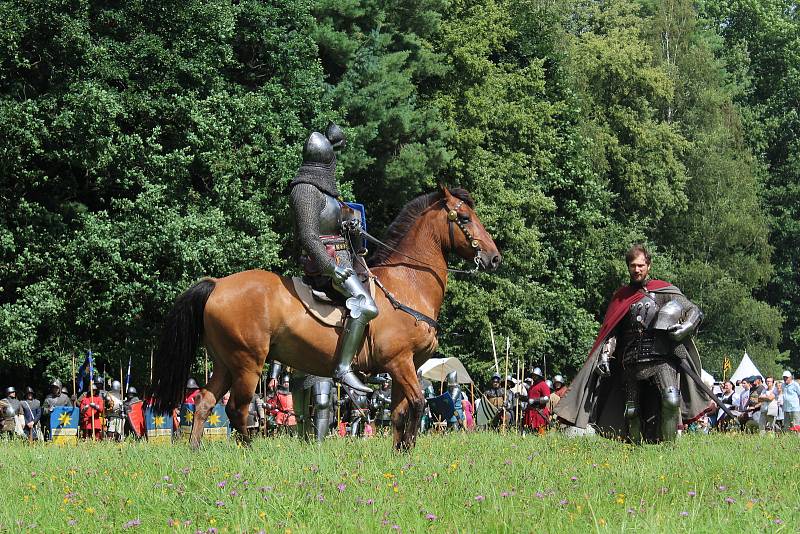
(481, 482)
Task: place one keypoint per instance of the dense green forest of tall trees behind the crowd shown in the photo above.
(144, 145)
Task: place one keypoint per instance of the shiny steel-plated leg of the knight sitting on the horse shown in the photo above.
(362, 310)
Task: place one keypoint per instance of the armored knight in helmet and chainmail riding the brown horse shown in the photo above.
(326, 229)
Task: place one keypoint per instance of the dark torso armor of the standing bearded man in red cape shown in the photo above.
(642, 343)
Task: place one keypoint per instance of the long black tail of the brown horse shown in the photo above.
(178, 344)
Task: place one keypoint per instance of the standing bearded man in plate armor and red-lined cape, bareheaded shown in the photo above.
(643, 356)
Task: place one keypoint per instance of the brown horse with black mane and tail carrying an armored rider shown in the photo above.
(249, 316)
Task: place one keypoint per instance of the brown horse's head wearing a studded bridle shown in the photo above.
(462, 231)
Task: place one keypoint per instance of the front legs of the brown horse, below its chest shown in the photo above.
(408, 409)
